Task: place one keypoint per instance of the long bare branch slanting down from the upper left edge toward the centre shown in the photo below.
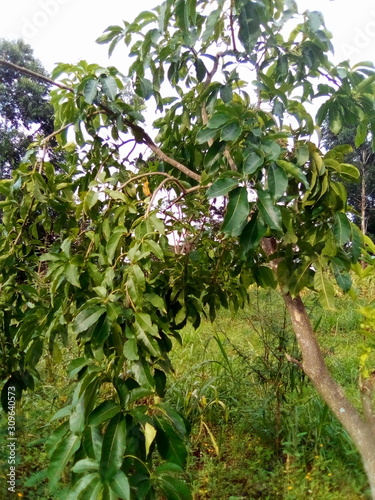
(139, 133)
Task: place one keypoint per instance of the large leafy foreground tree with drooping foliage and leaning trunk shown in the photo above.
(104, 274)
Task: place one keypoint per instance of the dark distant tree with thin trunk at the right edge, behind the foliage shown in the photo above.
(360, 194)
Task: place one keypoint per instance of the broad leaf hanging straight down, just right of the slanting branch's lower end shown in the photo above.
(237, 212)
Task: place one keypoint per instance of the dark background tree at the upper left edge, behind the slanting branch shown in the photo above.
(24, 108)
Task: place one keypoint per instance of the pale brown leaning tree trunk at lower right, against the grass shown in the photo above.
(361, 429)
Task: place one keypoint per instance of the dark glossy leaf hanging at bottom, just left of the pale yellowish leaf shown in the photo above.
(113, 448)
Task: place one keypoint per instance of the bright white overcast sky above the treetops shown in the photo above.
(65, 30)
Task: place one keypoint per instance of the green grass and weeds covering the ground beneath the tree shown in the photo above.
(258, 428)
